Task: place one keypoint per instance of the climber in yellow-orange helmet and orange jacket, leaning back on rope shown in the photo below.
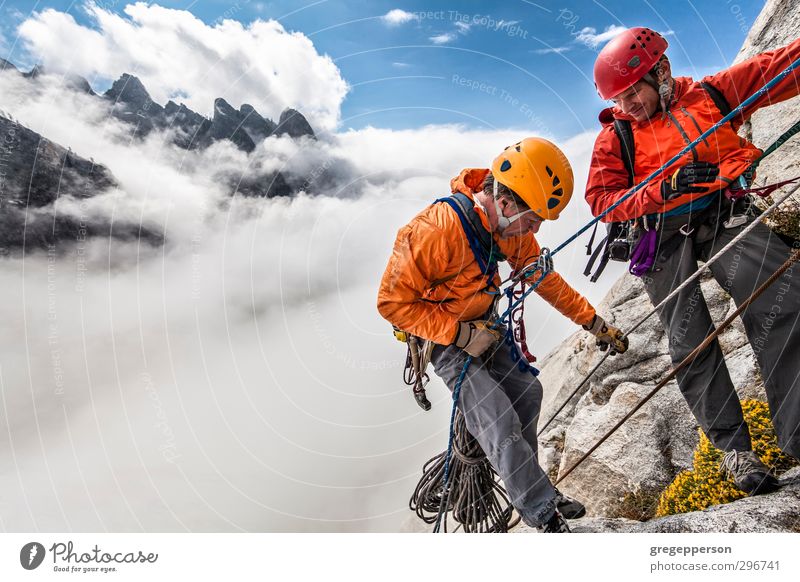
(441, 286)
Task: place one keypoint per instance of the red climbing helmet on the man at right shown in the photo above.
(627, 58)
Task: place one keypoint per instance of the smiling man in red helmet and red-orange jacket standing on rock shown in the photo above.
(690, 212)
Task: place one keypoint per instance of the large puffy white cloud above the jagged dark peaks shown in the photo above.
(176, 54)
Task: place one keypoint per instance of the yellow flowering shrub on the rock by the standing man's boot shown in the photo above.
(705, 485)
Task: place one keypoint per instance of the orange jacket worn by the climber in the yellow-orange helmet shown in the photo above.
(432, 247)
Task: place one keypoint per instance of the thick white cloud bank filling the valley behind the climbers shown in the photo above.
(238, 378)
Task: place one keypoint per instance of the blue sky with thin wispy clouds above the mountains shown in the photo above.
(518, 64)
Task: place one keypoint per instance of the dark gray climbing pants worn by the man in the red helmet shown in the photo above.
(771, 322)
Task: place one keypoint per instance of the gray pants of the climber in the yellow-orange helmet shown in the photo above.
(501, 405)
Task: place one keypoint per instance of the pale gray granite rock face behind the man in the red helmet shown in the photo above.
(640, 459)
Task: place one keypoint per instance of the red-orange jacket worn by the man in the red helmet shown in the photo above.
(692, 111)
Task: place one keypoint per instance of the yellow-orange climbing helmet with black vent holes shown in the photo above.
(539, 173)
